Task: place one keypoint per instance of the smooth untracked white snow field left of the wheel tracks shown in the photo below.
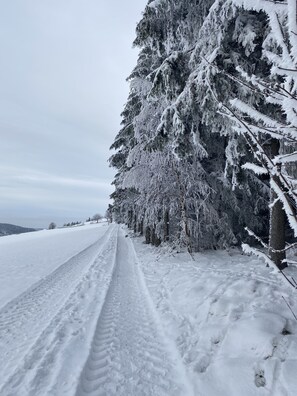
(26, 258)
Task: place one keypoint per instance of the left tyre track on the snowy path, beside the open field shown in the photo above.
(27, 318)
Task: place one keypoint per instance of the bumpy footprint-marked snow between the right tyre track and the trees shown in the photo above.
(226, 314)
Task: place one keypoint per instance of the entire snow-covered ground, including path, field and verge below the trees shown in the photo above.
(89, 311)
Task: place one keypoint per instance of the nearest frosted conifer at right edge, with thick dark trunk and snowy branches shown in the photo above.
(263, 108)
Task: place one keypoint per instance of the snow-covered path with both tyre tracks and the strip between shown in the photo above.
(89, 327)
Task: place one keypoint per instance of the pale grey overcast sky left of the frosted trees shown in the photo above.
(63, 65)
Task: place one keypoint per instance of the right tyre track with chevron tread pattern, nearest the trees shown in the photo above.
(129, 354)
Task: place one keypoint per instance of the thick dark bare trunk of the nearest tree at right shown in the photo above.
(277, 241)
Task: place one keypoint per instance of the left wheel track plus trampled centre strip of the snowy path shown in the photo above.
(40, 326)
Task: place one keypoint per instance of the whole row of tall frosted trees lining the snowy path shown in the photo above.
(206, 156)
